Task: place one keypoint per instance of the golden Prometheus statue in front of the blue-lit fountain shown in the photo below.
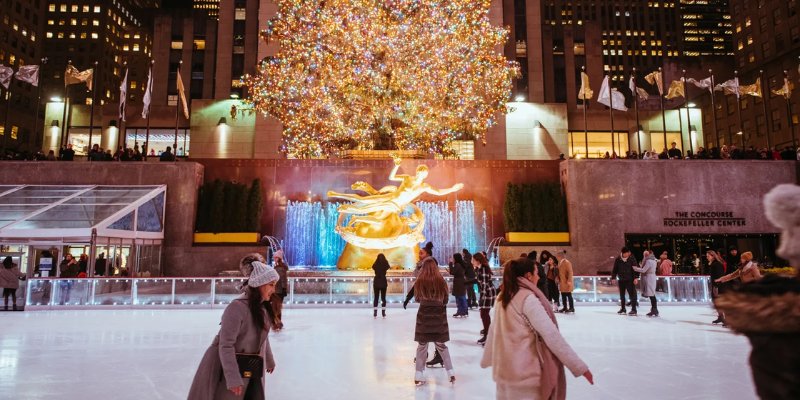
(384, 221)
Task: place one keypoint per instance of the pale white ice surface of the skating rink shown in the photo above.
(343, 353)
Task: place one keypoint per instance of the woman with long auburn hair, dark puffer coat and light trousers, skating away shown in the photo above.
(431, 294)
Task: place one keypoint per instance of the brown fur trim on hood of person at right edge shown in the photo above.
(771, 305)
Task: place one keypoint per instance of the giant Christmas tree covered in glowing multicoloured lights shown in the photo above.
(382, 74)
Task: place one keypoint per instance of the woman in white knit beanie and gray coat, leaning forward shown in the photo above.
(233, 366)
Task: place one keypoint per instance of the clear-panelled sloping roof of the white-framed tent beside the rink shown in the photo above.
(30, 212)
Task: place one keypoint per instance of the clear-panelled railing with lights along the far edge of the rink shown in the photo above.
(216, 292)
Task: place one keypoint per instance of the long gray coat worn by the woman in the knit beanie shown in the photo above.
(218, 370)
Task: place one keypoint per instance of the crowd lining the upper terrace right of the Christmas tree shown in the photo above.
(724, 152)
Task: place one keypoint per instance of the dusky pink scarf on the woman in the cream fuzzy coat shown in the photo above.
(553, 385)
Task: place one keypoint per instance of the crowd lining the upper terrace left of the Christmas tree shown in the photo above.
(97, 153)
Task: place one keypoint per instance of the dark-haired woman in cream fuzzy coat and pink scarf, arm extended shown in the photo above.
(525, 349)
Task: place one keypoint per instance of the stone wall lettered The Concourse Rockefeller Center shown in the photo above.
(607, 199)
